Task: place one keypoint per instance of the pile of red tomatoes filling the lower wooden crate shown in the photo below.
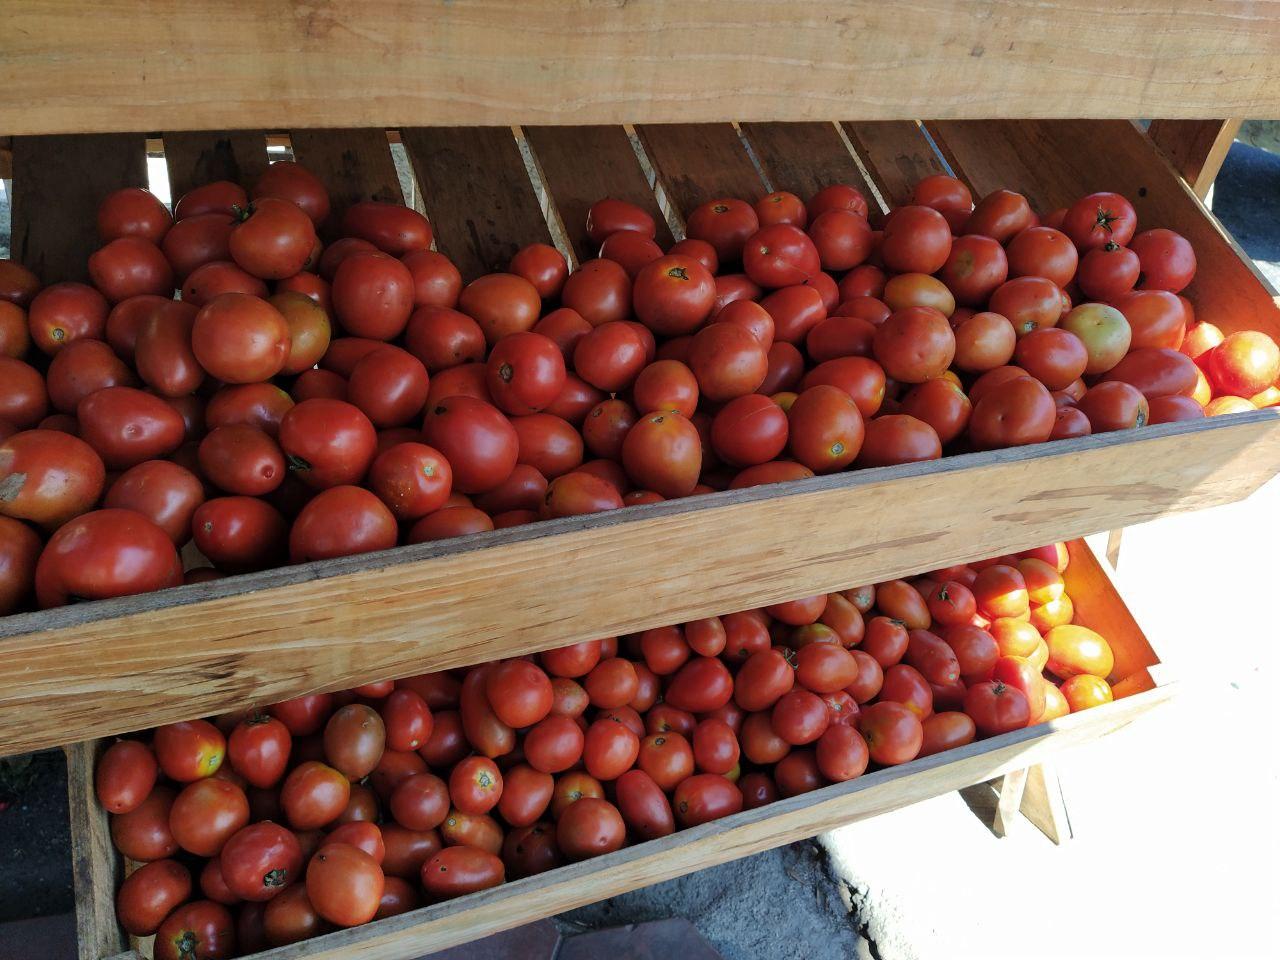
(266, 828)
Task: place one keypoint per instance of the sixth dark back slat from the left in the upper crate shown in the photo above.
(701, 162)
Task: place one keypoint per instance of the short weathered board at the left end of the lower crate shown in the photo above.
(97, 868)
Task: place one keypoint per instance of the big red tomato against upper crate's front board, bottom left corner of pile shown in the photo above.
(106, 554)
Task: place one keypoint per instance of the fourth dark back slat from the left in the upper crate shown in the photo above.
(478, 195)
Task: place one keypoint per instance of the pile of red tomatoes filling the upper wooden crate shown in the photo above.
(300, 401)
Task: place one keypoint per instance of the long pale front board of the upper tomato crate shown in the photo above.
(107, 668)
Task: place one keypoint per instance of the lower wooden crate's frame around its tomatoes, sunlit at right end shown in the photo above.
(1136, 680)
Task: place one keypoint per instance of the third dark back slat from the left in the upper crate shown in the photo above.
(354, 164)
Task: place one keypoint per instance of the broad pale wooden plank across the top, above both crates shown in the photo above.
(510, 62)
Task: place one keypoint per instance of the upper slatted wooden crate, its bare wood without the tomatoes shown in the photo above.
(102, 669)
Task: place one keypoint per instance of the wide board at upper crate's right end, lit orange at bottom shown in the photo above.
(1057, 162)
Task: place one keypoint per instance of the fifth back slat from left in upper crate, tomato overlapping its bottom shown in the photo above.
(584, 164)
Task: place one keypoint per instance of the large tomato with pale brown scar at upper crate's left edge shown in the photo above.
(48, 478)
